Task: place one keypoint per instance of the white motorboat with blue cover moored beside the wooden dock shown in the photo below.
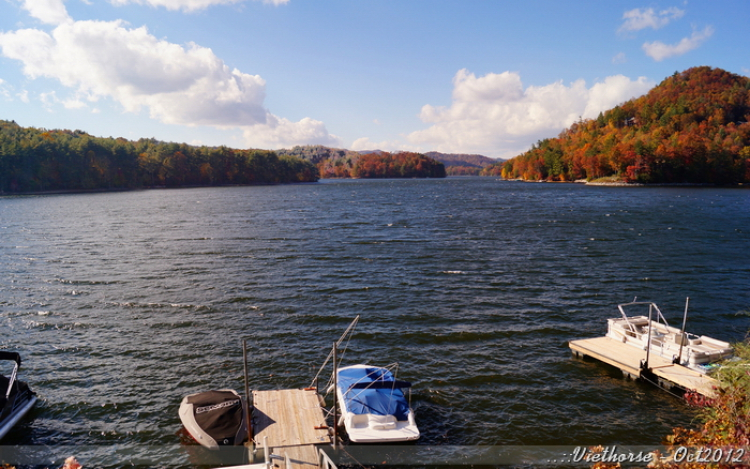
(374, 408)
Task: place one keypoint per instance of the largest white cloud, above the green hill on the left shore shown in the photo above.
(178, 85)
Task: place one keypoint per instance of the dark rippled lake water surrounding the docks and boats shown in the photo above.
(122, 303)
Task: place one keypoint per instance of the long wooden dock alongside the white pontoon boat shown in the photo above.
(628, 359)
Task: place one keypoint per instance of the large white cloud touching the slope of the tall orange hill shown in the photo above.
(495, 114)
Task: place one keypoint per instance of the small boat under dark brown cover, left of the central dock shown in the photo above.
(215, 418)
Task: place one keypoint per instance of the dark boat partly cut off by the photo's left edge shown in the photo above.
(16, 398)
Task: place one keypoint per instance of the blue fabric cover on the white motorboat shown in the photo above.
(383, 397)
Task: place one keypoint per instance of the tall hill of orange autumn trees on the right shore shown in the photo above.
(691, 128)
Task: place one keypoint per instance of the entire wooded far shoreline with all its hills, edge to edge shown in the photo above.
(692, 128)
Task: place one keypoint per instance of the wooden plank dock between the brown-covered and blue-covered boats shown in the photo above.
(294, 423)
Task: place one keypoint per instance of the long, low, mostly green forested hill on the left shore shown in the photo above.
(34, 160)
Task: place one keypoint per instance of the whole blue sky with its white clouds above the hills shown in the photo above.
(491, 77)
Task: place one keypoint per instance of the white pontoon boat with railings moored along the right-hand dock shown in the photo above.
(650, 331)
